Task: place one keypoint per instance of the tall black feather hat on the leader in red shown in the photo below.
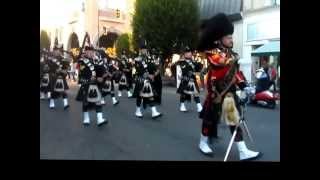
(213, 30)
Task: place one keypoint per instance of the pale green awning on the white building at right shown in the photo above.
(271, 48)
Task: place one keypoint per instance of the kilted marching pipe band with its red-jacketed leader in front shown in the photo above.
(100, 73)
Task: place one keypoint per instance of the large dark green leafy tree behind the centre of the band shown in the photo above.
(167, 25)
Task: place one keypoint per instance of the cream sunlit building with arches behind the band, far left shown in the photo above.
(60, 18)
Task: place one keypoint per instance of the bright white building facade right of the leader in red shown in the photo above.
(261, 25)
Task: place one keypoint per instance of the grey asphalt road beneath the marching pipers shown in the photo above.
(174, 136)
